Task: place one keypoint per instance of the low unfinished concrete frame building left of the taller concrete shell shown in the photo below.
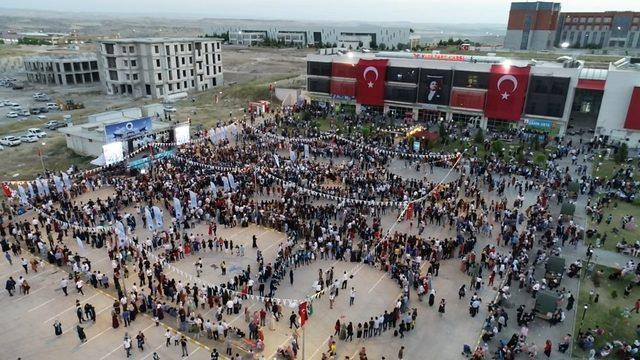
(77, 69)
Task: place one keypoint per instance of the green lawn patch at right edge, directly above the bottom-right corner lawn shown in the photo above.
(618, 209)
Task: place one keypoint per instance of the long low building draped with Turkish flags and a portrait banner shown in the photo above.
(487, 91)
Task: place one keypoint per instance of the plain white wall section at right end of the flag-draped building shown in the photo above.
(615, 104)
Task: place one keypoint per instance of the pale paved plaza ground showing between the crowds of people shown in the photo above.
(30, 317)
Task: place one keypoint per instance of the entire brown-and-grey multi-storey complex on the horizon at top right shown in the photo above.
(540, 25)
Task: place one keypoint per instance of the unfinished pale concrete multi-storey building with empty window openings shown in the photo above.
(159, 67)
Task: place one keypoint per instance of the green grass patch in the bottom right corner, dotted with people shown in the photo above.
(607, 313)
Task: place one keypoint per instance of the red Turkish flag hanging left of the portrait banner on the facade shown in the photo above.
(371, 77)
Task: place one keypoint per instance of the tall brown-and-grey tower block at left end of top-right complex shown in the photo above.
(531, 25)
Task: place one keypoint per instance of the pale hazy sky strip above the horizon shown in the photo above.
(425, 11)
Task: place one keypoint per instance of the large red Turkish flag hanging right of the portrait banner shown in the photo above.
(507, 92)
